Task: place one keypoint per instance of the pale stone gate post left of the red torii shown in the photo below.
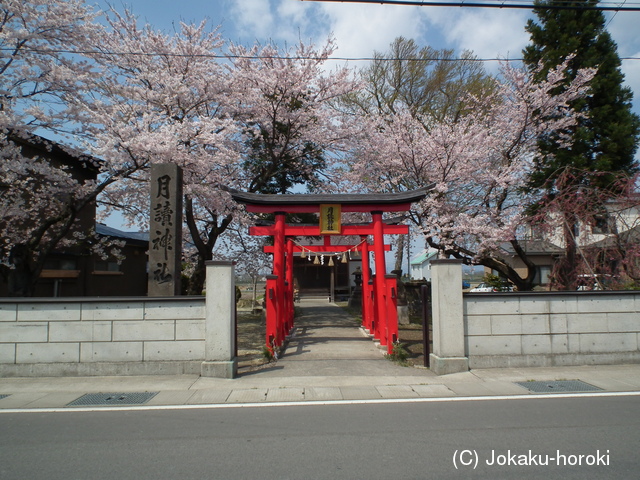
(220, 322)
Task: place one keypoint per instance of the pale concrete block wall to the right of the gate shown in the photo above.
(551, 328)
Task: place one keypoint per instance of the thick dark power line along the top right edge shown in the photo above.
(562, 5)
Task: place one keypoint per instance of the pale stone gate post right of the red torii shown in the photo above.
(448, 323)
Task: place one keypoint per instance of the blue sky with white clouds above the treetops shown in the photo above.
(360, 29)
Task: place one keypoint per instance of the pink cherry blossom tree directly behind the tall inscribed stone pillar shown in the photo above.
(168, 102)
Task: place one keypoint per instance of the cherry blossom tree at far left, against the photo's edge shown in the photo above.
(41, 200)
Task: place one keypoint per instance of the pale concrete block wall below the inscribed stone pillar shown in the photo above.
(102, 336)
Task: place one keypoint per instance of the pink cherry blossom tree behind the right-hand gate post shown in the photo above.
(477, 164)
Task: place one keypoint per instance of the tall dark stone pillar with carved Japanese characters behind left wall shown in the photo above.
(165, 230)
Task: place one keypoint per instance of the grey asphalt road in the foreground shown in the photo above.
(578, 438)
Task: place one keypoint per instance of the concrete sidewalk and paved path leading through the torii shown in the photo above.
(329, 358)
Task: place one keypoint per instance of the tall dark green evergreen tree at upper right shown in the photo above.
(606, 139)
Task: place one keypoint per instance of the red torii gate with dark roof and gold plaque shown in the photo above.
(379, 302)
